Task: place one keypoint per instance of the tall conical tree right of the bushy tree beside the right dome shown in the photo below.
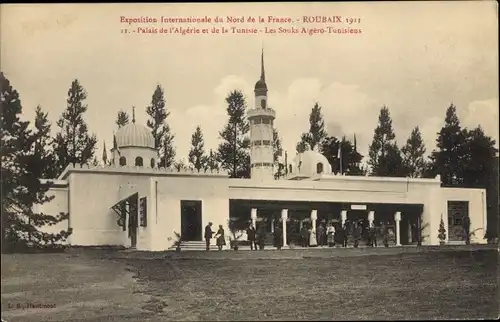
(384, 155)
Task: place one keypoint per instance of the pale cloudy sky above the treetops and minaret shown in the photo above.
(416, 58)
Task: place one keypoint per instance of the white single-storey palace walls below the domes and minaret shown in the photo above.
(89, 193)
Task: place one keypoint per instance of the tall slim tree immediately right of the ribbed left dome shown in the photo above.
(164, 140)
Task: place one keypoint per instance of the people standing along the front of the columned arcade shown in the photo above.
(322, 236)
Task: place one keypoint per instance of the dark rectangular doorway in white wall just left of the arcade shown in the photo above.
(191, 225)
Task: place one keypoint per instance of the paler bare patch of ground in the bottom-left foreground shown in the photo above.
(69, 287)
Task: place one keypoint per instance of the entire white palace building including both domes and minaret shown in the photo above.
(97, 198)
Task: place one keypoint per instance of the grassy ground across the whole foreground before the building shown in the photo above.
(305, 285)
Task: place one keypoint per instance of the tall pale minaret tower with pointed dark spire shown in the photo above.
(261, 119)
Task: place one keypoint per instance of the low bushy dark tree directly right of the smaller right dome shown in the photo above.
(351, 158)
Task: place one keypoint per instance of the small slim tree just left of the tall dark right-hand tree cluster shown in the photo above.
(413, 155)
